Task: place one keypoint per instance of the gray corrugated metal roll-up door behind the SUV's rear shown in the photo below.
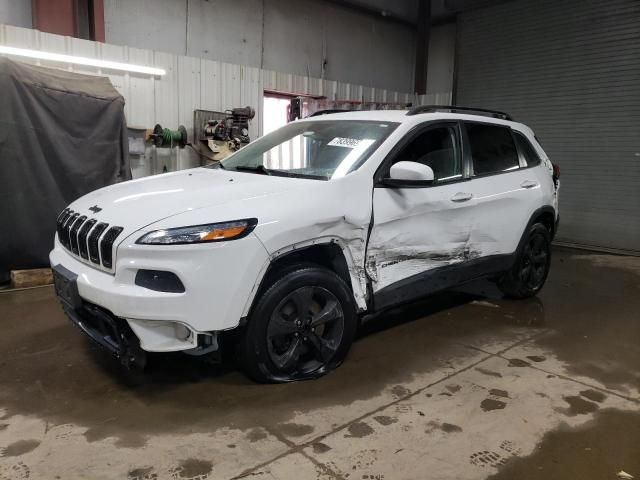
(571, 70)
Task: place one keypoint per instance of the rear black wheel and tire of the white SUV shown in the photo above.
(531, 267)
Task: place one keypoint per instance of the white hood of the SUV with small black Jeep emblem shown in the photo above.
(138, 203)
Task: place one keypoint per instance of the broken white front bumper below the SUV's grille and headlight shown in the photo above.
(219, 280)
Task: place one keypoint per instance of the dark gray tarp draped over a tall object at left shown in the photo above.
(62, 135)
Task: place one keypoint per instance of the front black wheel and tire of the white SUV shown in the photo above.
(301, 326)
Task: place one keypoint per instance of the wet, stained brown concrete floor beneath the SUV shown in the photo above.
(462, 386)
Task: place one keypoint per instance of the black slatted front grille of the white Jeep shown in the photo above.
(86, 238)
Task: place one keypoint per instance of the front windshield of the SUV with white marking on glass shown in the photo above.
(312, 149)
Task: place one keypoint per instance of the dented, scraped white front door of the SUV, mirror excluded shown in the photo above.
(417, 231)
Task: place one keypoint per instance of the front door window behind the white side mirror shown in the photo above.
(436, 148)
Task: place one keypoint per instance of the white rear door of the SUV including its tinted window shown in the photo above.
(505, 190)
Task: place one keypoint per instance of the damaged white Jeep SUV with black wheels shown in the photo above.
(292, 239)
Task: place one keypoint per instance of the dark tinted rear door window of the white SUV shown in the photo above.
(492, 148)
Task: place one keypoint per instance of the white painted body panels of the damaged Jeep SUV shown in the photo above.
(414, 230)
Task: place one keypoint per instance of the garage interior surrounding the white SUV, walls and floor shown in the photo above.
(463, 384)
